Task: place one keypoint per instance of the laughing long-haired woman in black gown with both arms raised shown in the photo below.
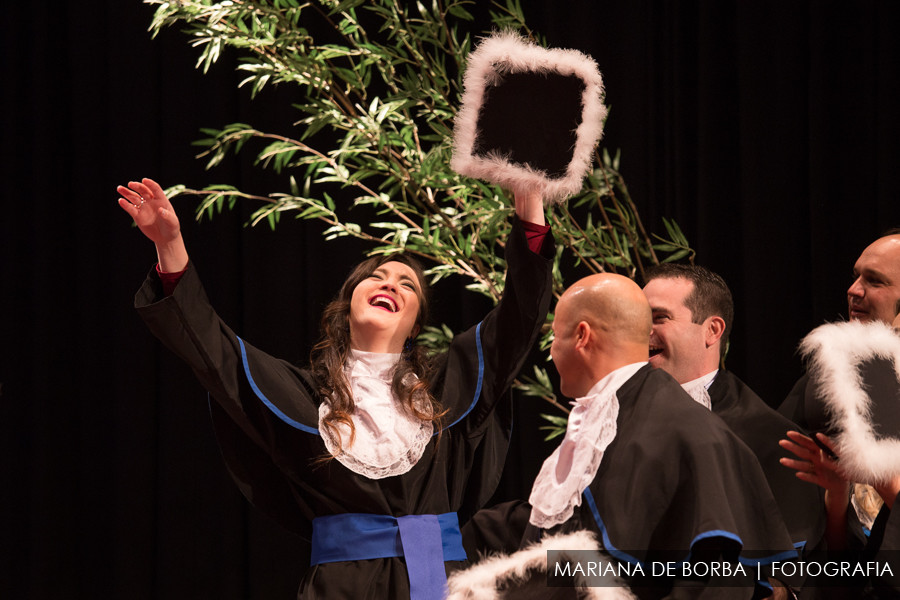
(374, 453)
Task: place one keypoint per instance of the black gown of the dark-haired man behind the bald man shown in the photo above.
(760, 427)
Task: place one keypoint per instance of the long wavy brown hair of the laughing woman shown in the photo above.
(329, 355)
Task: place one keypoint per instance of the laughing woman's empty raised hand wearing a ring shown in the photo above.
(152, 212)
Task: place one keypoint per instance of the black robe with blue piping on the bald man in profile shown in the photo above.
(675, 484)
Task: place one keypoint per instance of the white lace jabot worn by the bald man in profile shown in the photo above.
(573, 465)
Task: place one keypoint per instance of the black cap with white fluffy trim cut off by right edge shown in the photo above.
(854, 395)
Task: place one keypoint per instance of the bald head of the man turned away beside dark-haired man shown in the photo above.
(602, 322)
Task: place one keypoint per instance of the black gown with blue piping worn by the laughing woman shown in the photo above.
(266, 418)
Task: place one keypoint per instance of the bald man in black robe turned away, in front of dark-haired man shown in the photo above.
(655, 475)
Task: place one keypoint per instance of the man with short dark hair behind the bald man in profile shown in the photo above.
(693, 313)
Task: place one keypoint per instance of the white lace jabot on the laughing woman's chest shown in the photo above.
(388, 440)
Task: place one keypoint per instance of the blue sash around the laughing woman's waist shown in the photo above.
(425, 541)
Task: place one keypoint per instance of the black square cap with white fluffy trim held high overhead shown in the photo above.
(530, 118)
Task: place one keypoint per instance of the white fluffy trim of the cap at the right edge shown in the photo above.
(835, 352)
